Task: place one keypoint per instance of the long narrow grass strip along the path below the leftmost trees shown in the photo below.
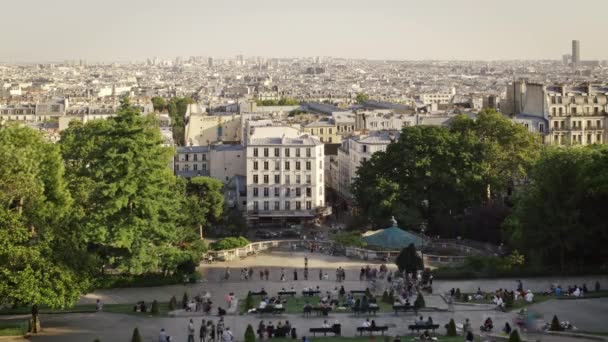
(86, 308)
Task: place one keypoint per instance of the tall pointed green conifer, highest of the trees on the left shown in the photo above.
(127, 200)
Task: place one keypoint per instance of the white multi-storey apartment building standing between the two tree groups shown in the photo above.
(285, 176)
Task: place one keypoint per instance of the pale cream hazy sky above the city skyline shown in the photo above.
(46, 30)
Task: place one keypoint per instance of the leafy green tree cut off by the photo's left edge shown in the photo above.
(42, 260)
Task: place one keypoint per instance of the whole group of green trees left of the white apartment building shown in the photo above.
(102, 199)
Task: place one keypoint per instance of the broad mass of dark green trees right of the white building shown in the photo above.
(489, 179)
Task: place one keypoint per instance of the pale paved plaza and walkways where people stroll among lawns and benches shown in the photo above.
(589, 315)
